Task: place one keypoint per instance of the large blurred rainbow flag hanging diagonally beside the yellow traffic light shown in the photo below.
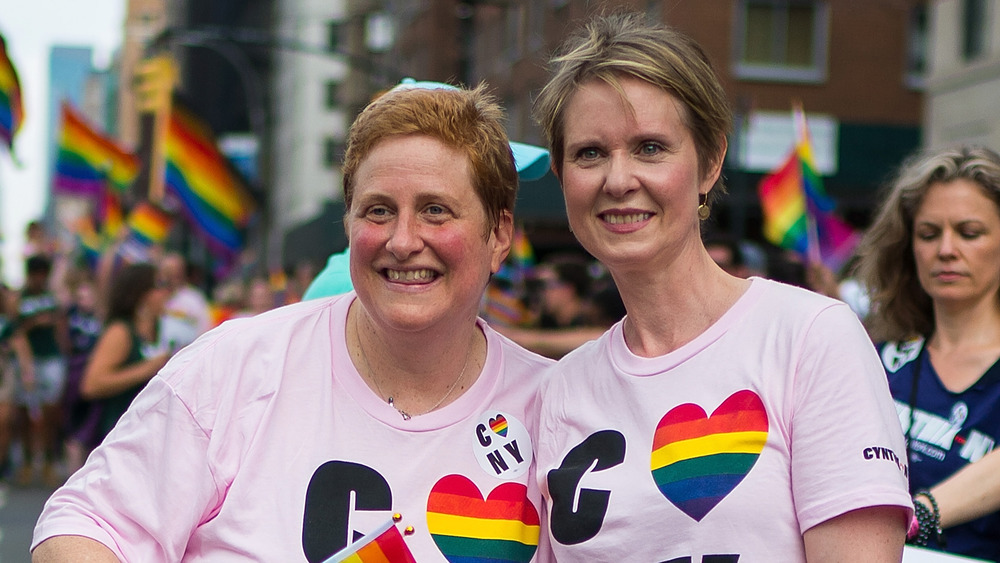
(211, 195)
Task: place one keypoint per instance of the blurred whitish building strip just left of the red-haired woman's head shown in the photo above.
(310, 124)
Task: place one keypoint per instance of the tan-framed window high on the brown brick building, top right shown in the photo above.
(782, 40)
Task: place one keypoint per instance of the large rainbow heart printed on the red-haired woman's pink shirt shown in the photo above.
(467, 529)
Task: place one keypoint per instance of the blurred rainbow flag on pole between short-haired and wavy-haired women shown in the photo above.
(798, 214)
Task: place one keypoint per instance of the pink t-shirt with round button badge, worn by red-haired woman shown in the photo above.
(261, 442)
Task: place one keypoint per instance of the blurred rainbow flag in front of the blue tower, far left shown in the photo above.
(88, 160)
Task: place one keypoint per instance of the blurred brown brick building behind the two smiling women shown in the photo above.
(856, 66)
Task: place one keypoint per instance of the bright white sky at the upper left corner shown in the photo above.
(31, 28)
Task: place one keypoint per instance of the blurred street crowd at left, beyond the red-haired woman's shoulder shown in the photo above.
(78, 343)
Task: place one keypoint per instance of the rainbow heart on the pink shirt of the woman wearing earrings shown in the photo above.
(697, 460)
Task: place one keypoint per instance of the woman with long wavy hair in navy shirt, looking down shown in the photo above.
(931, 263)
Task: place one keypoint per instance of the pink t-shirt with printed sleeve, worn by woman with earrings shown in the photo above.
(775, 419)
